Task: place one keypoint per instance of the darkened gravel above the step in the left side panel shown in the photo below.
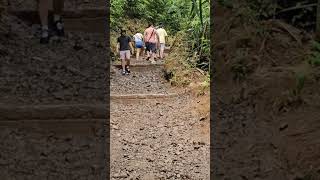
(72, 70)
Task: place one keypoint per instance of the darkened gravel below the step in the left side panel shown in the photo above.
(39, 154)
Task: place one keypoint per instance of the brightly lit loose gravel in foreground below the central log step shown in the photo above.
(156, 139)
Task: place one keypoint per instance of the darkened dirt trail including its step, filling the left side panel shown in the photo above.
(42, 87)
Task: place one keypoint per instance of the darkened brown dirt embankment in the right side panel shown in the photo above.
(263, 129)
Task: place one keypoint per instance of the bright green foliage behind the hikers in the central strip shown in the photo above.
(191, 17)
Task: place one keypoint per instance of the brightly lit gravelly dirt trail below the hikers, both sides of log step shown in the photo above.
(156, 138)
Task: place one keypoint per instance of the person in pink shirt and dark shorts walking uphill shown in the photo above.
(151, 38)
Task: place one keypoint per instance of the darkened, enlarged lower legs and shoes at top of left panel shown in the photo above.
(58, 24)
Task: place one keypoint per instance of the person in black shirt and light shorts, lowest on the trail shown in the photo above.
(123, 48)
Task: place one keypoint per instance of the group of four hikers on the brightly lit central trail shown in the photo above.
(151, 43)
